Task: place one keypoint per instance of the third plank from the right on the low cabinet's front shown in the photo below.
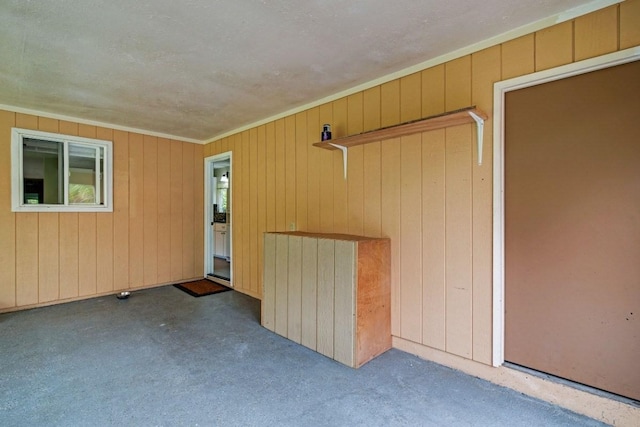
(309, 305)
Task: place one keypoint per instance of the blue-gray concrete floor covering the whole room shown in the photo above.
(165, 358)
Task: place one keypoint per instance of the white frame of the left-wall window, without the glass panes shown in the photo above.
(17, 173)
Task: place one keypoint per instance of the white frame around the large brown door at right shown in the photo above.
(499, 91)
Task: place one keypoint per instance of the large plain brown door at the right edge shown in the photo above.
(572, 228)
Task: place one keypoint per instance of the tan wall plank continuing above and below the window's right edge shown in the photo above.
(104, 237)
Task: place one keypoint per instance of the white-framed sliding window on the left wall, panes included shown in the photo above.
(55, 173)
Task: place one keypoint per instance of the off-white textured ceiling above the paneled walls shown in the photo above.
(198, 68)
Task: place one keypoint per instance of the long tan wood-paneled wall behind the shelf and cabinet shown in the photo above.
(426, 192)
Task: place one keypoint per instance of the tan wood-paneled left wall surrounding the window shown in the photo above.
(154, 235)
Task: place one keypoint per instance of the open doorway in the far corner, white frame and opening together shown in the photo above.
(218, 218)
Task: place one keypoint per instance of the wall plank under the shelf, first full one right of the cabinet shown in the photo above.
(411, 237)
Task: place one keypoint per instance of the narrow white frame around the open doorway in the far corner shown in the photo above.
(208, 211)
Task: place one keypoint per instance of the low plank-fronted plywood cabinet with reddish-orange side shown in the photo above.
(329, 292)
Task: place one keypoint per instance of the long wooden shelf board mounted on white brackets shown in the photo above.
(452, 118)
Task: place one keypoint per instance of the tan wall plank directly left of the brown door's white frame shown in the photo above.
(486, 71)
